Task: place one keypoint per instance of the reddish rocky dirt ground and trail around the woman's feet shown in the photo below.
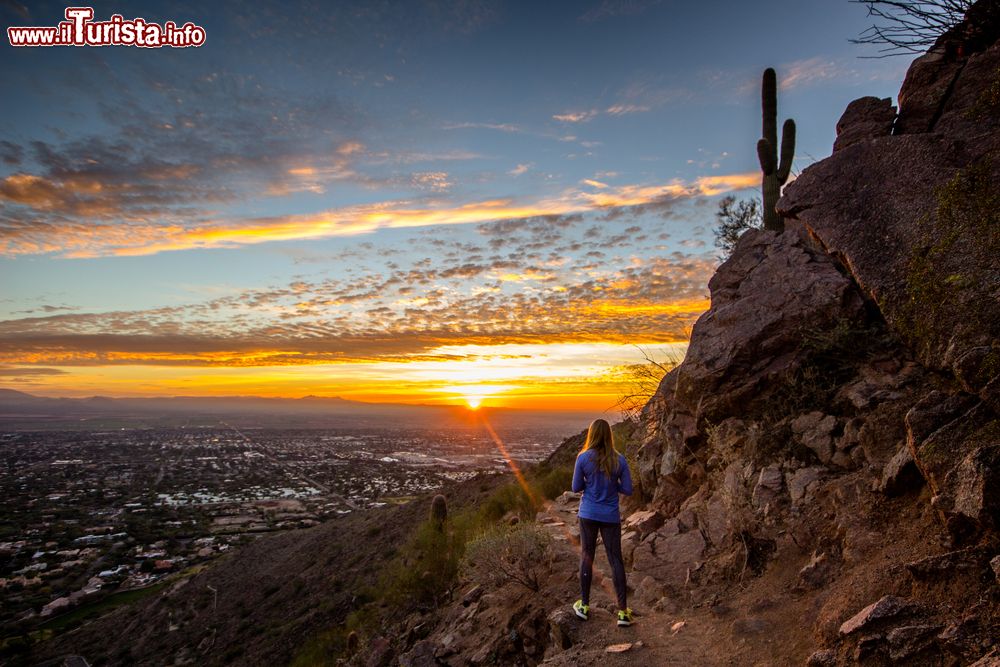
(781, 610)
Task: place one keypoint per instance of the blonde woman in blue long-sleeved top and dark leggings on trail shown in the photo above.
(601, 473)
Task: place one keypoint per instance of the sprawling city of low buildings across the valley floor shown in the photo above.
(99, 517)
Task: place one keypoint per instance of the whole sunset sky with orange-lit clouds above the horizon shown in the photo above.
(391, 201)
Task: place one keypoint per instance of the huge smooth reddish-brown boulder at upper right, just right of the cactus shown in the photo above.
(929, 193)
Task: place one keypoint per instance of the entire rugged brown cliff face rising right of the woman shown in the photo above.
(853, 359)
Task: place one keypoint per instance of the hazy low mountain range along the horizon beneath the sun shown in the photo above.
(22, 411)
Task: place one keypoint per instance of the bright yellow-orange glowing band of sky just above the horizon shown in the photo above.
(553, 375)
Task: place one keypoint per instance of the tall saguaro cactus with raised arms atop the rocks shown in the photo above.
(775, 171)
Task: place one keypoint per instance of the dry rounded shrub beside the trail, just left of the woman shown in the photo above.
(505, 554)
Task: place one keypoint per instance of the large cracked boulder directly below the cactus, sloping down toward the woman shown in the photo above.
(772, 290)
